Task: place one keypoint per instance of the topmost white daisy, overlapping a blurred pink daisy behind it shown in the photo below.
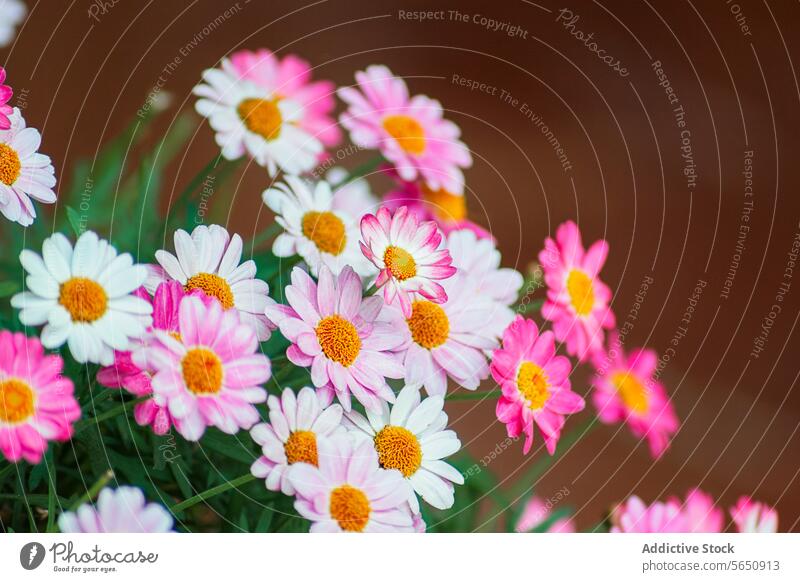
(249, 121)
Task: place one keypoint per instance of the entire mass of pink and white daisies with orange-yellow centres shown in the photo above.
(335, 373)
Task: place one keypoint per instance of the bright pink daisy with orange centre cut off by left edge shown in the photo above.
(36, 402)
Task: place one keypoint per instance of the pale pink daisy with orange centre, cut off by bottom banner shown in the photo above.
(349, 492)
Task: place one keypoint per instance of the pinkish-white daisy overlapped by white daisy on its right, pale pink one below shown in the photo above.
(295, 425)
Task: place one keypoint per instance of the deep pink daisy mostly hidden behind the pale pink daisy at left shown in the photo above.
(124, 373)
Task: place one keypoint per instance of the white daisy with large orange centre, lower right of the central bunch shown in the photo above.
(411, 438)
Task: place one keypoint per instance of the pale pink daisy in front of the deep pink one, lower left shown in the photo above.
(212, 375)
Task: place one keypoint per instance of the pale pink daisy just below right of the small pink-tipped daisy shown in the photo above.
(448, 340)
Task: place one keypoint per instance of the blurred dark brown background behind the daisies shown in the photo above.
(82, 69)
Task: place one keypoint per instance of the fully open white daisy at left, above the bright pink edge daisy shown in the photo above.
(83, 297)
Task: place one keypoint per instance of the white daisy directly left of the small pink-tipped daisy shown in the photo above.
(316, 231)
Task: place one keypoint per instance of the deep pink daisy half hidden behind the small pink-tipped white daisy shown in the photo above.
(448, 210)
